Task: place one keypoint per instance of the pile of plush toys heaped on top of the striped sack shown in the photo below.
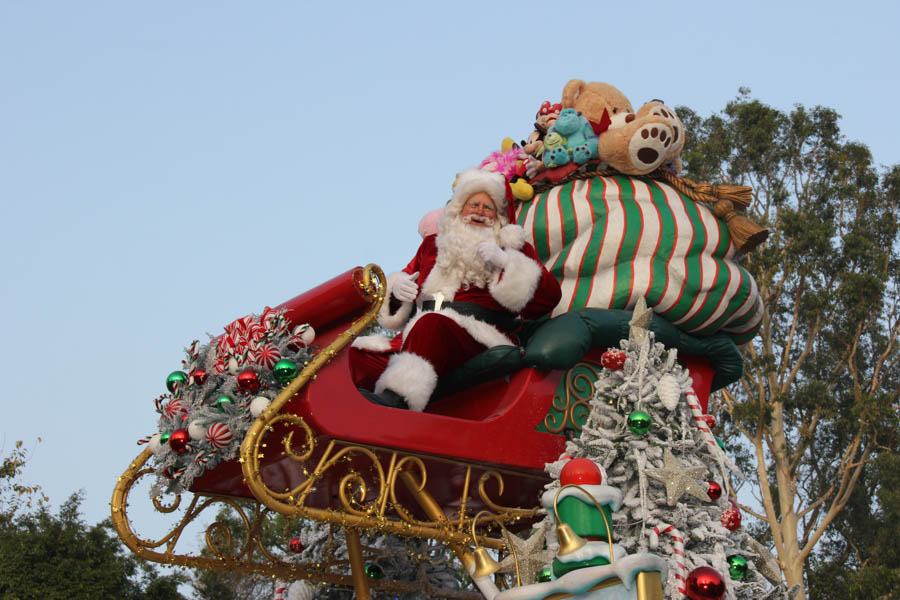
(595, 123)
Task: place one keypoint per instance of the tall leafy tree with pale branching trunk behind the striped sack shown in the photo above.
(818, 401)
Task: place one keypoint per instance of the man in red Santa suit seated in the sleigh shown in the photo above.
(466, 290)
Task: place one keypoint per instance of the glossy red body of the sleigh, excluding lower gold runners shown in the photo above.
(496, 430)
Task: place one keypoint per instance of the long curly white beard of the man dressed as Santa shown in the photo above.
(458, 264)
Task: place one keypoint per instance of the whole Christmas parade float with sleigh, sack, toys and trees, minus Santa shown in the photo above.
(529, 459)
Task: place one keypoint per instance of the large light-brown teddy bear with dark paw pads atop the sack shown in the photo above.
(631, 143)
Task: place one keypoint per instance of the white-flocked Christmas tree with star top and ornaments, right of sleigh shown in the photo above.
(650, 440)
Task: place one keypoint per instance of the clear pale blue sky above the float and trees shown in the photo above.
(167, 167)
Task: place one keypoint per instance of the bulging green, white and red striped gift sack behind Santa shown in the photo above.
(611, 240)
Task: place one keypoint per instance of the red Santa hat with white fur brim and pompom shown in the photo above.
(472, 181)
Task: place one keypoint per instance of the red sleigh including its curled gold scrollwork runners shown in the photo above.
(321, 451)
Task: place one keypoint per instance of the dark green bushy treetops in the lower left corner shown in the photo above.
(57, 556)
